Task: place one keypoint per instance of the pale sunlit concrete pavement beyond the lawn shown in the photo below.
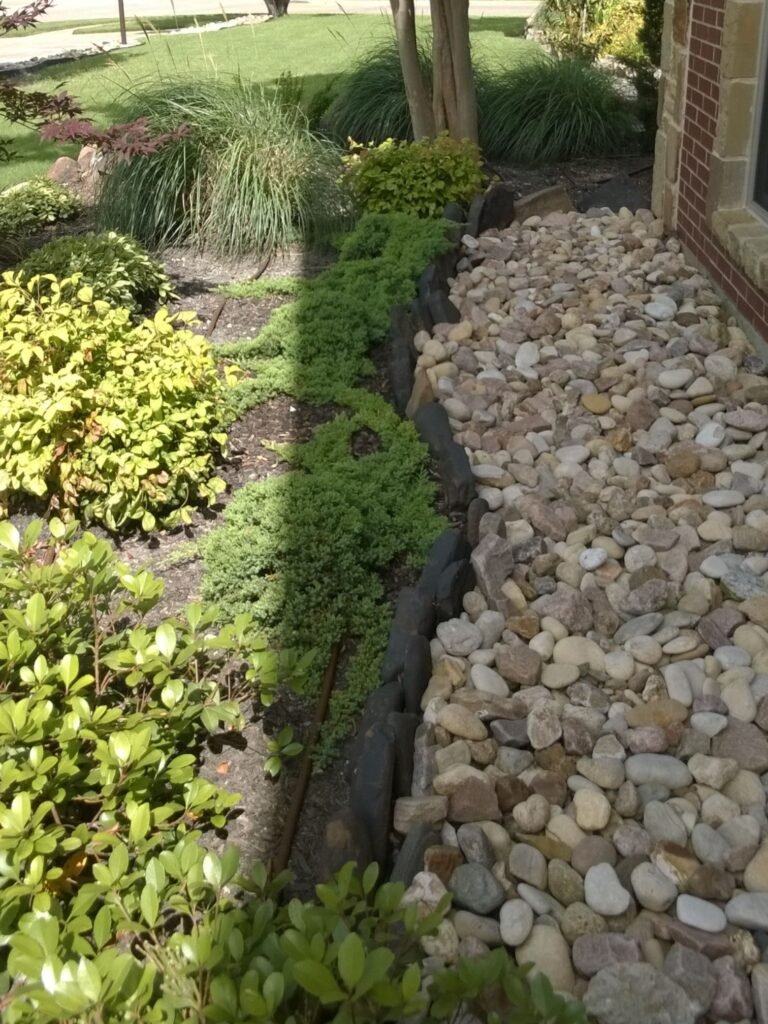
(48, 46)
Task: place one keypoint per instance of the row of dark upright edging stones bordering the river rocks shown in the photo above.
(382, 759)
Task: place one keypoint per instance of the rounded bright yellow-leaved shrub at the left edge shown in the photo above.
(114, 422)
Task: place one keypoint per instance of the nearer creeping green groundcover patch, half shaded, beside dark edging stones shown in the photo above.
(306, 552)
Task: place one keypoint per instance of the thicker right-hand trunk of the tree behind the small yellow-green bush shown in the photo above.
(454, 100)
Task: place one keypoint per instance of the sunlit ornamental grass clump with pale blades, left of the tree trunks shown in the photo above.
(246, 177)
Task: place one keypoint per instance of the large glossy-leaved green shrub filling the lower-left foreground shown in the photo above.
(111, 911)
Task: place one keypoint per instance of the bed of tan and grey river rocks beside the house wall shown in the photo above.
(594, 744)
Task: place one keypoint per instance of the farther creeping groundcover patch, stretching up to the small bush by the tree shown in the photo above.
(320, 344)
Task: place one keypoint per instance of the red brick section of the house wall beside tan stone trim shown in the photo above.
(700, 172)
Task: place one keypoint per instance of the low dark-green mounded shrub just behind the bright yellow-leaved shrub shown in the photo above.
(115, 267)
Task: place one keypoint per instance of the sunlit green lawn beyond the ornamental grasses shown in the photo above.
(316, 47)
